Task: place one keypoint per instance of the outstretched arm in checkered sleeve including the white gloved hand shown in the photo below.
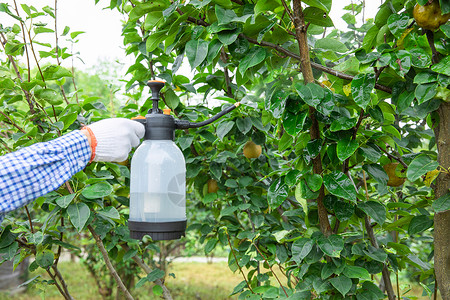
(34, 171)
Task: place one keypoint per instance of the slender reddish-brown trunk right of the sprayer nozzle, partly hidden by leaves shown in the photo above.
(300, 33)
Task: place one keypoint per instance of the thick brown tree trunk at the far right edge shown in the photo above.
(442, 219)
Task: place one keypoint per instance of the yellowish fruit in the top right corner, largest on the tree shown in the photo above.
(430, 15)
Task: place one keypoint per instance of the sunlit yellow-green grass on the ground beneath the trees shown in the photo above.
(193, 281)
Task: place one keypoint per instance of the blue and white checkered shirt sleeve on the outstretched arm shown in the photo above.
(36, 170)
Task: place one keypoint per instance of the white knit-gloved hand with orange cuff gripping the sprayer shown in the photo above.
(112, 139)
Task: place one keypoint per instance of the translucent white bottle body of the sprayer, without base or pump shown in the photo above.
(158, 183)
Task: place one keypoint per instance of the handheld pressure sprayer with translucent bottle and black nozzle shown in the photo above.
(158, 174)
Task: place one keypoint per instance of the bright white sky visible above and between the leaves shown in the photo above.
(102, 39)
